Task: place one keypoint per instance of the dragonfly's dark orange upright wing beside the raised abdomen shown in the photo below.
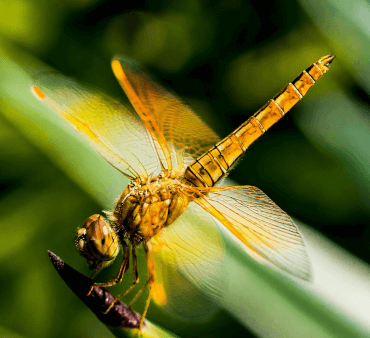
(180, 135)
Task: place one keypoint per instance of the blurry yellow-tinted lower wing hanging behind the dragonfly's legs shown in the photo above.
(189, 263)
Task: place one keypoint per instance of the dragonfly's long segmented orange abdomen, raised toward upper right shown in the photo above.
(209, 168)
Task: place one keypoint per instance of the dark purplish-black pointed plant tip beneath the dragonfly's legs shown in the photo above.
(98, 300)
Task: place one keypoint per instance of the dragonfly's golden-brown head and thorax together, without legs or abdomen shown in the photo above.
(144, 208)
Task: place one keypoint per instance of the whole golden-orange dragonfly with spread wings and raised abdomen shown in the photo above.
(175, 164)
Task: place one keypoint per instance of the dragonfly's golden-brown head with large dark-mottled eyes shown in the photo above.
(97, 242)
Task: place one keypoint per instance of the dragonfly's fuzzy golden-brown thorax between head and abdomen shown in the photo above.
(147, 206)
